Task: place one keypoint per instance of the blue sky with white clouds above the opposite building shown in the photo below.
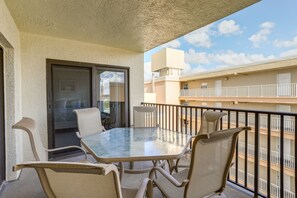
(264, 31)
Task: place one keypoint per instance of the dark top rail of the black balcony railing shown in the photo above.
(227, 109)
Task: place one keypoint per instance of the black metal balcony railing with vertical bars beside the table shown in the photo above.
(187, 119)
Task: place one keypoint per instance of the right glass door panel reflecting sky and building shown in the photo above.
(111, 96)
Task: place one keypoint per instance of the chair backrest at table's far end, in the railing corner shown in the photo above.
(145, 116)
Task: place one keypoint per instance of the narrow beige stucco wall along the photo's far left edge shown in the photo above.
(10, 41)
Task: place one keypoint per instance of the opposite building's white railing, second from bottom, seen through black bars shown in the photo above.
(289, 160)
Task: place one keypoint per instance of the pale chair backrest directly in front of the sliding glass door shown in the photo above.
(88, 121)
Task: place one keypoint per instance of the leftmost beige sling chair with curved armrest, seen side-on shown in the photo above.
(39, 151)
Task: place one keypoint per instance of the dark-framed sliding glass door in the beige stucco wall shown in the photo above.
(72, 85)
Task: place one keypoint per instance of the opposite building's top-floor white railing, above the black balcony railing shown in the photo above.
(271, 90)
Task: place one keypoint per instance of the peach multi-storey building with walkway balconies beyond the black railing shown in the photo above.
(267, 86)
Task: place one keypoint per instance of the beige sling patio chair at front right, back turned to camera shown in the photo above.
(211, 159)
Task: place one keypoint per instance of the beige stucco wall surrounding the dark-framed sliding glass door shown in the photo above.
(36, 49)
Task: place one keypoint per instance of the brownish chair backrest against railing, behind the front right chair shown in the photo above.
(210, 121)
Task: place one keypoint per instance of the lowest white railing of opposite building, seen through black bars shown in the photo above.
(274, 188)
